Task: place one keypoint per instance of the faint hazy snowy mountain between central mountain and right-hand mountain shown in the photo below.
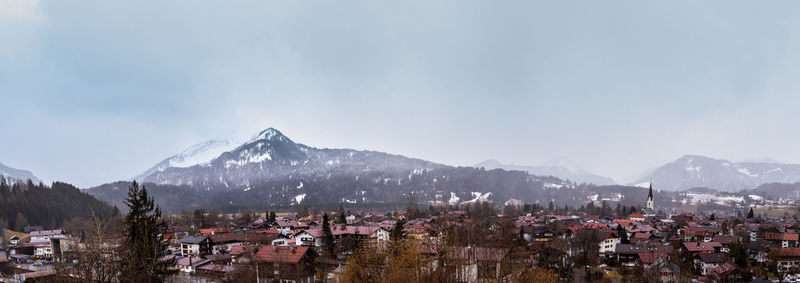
(550, 169)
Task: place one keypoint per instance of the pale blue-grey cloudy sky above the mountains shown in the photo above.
(98, 91)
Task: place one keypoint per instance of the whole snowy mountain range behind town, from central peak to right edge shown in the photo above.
(271, 170)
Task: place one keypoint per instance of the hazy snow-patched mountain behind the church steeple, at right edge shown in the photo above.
(692, 171)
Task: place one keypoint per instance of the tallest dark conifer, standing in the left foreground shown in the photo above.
(142, 247)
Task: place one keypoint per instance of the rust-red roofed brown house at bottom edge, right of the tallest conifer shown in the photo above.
(289, 264)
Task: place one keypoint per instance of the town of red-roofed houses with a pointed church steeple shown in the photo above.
(474, 242)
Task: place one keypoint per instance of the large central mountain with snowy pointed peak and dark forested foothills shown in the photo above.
(272, 170)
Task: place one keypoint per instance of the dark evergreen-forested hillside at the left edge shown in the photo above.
(25, 203)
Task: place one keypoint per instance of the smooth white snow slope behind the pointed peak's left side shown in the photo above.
(200, 153)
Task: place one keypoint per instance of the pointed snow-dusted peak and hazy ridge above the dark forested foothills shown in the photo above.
(270, 155)
